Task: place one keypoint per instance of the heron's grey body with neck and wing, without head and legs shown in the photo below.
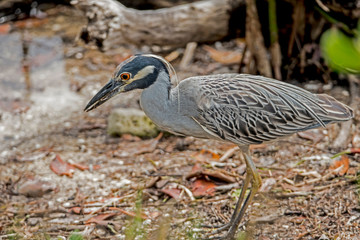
(240, 108)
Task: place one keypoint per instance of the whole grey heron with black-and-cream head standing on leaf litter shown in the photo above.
(239, 108)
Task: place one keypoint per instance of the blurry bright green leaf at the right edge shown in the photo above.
(341, 52)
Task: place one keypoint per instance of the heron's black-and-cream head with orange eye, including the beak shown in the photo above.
(137, 72)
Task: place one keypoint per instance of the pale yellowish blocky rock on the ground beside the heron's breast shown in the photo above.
(131, 121)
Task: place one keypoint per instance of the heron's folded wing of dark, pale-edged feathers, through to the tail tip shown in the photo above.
(248, 109)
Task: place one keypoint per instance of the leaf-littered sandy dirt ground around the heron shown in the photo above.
(130, 188)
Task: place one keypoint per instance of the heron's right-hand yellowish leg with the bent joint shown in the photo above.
(256, 183)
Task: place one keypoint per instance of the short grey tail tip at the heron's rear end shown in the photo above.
(335, 110)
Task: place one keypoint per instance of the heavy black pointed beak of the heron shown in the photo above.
(108, 91)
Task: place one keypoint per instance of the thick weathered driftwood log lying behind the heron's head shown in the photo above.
(111, 24)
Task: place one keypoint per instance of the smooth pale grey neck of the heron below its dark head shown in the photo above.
(155, 100)
